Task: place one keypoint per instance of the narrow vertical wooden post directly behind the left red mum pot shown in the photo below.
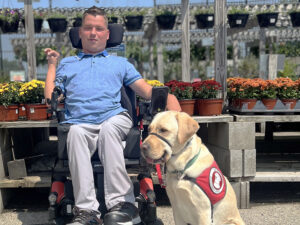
(185, 41)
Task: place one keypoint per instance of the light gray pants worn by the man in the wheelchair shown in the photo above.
(82, 142)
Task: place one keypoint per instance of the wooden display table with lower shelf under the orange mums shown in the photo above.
(279, 159)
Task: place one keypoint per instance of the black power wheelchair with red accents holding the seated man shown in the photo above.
(61, 198)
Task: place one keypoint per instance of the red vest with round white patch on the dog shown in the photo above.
(212, 182)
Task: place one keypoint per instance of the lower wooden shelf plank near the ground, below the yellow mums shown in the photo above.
(26, 182)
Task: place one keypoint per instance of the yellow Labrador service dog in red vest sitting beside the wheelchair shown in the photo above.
(198, 192)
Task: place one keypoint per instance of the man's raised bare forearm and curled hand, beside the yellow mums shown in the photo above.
(52, 57)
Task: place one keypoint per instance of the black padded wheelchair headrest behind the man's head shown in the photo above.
(116, 32)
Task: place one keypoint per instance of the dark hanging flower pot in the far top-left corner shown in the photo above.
(9, 20)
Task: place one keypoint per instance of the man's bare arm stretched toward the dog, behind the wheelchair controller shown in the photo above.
(143, 89)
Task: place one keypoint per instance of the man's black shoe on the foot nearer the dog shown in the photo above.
(123, 213)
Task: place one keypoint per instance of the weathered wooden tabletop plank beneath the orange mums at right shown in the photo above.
(264, 118)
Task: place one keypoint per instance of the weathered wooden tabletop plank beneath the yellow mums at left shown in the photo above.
(29, 124)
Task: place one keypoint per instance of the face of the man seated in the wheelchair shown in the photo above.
(93, 34)
